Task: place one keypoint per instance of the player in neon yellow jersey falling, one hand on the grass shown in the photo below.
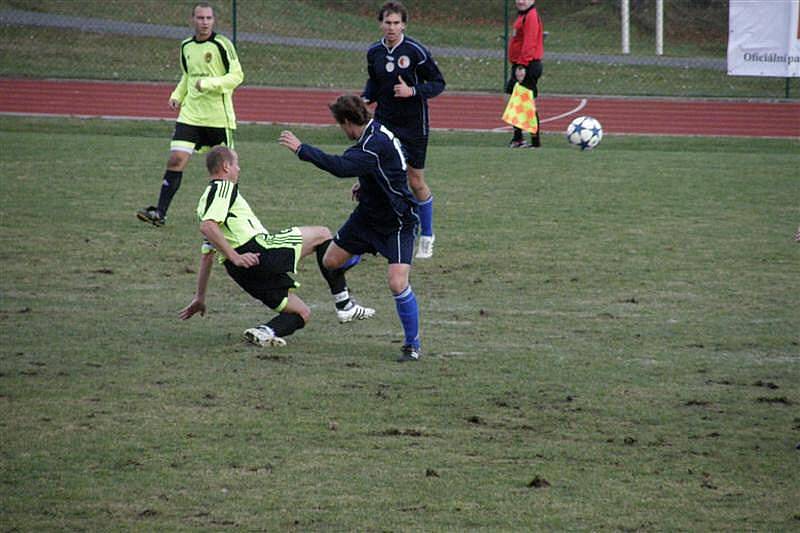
(261, 262)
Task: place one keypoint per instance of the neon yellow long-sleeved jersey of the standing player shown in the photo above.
(214, 61)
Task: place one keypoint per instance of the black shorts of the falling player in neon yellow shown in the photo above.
(268, 281)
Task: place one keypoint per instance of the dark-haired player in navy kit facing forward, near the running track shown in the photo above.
(402, 77)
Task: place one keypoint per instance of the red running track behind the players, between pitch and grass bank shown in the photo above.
(468, 111)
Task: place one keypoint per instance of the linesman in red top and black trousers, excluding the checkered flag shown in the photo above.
(525, 52)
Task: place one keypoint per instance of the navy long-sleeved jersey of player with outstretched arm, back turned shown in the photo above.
(385, 200)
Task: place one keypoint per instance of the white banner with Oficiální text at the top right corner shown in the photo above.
(764, 38)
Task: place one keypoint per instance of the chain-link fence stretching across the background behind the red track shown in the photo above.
(322, 43)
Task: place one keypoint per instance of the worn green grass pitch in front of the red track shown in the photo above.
(610, 341)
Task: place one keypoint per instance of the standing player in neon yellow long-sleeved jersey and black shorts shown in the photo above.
(204, 96)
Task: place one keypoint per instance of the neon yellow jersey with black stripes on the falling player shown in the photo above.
(222, 203)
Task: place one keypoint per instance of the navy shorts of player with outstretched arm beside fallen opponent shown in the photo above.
(359, 237)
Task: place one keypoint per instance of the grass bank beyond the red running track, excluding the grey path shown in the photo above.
(574, 27)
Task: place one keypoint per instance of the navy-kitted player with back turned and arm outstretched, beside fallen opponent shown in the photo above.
(385, 219)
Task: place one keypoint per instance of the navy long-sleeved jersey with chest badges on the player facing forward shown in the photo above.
(406, 117)
